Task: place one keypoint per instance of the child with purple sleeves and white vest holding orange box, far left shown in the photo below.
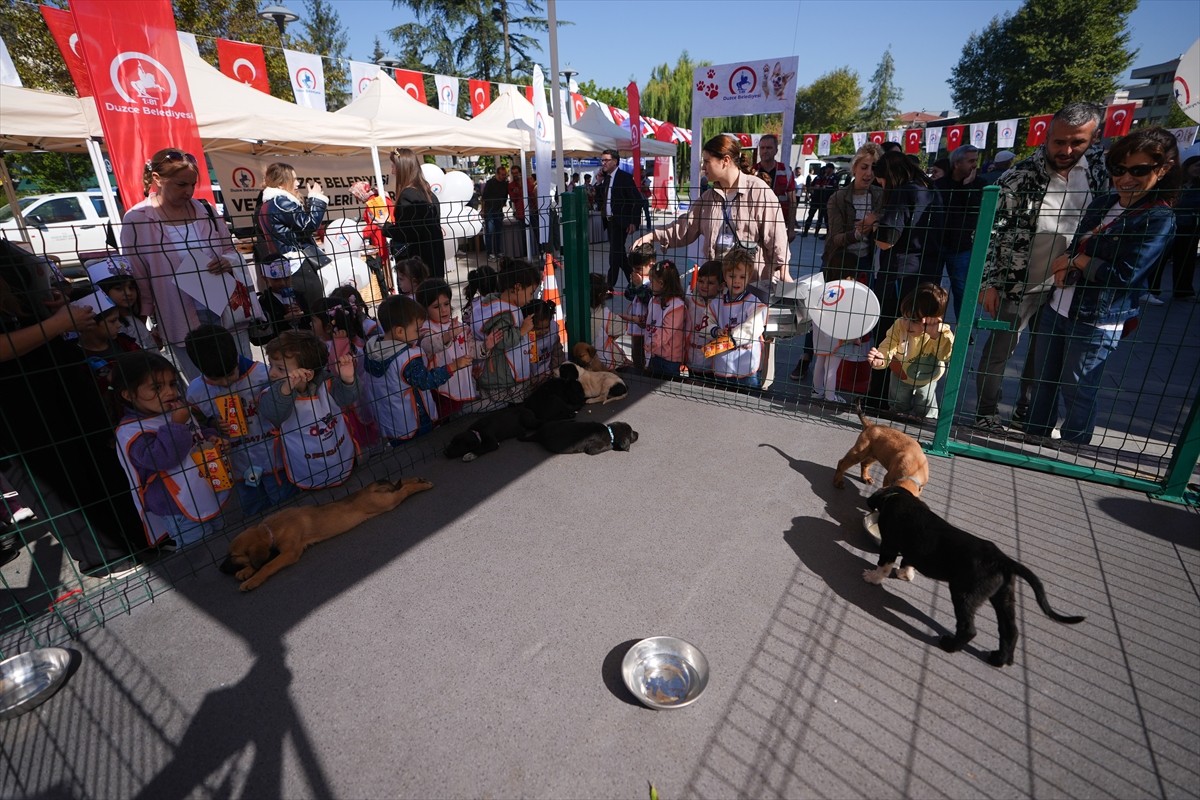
(178, 471)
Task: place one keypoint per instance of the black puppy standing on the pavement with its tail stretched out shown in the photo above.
(976, 569)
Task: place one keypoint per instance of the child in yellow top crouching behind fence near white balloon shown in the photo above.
(917, 350)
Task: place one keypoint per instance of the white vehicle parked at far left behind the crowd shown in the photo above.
(61, 225)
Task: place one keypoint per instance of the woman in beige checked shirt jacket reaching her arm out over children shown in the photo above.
(737, 210)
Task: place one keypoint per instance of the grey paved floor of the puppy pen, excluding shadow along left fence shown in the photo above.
(467, 645)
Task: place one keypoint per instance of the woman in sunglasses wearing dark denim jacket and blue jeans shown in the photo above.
(1101, 280)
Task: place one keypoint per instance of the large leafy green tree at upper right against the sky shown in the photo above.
(1049, 53)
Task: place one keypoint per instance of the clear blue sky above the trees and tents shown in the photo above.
(616, 41)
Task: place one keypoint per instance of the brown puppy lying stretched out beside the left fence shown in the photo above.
(289, 533)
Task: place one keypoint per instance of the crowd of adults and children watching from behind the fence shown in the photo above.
(178, 422)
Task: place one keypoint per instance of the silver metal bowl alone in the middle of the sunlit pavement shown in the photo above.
(664, 672)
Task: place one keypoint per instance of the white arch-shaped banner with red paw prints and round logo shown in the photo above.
(759, 87)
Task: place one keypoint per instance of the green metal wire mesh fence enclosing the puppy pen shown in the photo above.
(931, 371)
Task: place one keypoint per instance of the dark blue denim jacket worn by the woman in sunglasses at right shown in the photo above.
(1123, 257)
